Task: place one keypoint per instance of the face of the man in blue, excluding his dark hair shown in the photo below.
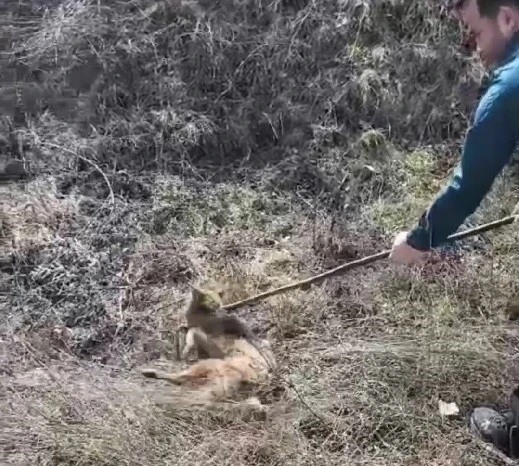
(491, 35)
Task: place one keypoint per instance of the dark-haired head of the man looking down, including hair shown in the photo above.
(492, 23)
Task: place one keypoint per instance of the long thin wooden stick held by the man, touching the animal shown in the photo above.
(357, 263)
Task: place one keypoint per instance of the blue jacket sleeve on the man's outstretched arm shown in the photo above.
(489, 146)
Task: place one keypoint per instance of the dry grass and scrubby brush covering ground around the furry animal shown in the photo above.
(243, 144)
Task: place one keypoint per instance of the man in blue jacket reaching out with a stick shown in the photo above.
(489, 146)
